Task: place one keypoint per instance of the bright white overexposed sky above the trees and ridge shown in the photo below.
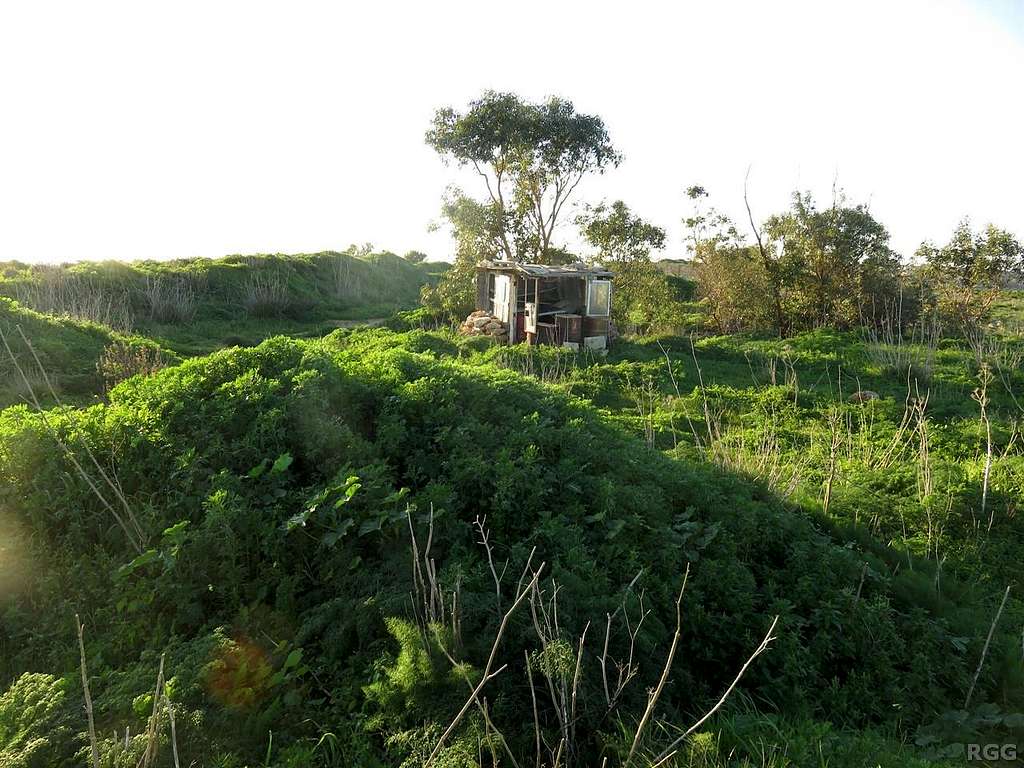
(158, 131)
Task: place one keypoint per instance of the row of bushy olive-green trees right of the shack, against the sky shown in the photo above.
(816, 266)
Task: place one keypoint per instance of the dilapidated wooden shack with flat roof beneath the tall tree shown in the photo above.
(568, 306)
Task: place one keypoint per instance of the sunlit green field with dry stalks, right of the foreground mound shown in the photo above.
(781, 433)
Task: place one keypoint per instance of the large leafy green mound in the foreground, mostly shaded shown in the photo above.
(436, 415)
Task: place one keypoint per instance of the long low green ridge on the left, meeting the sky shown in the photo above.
(198, 306)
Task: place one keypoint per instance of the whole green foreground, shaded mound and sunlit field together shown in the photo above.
(273, 492)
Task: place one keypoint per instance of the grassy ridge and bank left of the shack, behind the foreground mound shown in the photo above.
(84, 303)
